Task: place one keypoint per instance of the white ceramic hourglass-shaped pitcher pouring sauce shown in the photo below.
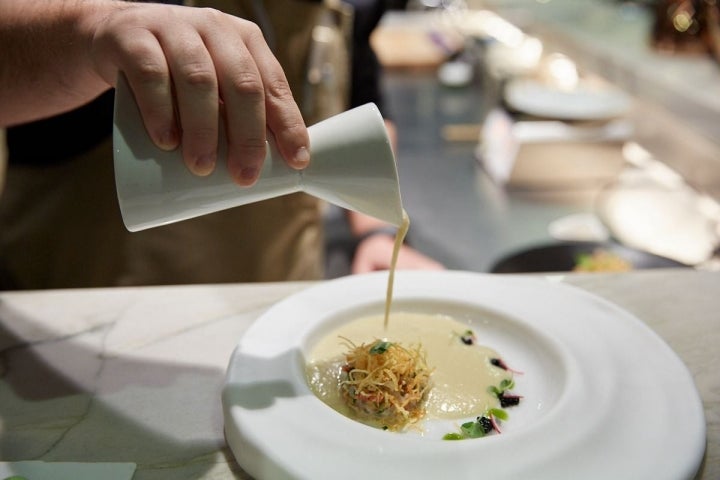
(352, 165)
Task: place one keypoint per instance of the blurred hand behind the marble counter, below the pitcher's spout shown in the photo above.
(375, 252)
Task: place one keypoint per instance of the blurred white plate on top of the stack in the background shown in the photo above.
(585, 102)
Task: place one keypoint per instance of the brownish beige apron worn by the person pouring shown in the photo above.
(60, 226)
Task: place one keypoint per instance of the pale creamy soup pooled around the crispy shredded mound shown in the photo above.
(461, 372)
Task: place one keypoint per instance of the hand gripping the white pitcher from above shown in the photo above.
(187, 68)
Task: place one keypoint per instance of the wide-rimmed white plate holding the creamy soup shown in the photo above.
(604, 396)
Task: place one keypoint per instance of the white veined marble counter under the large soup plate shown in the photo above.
(134, 374)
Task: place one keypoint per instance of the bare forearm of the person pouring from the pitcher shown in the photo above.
(45, 63)
